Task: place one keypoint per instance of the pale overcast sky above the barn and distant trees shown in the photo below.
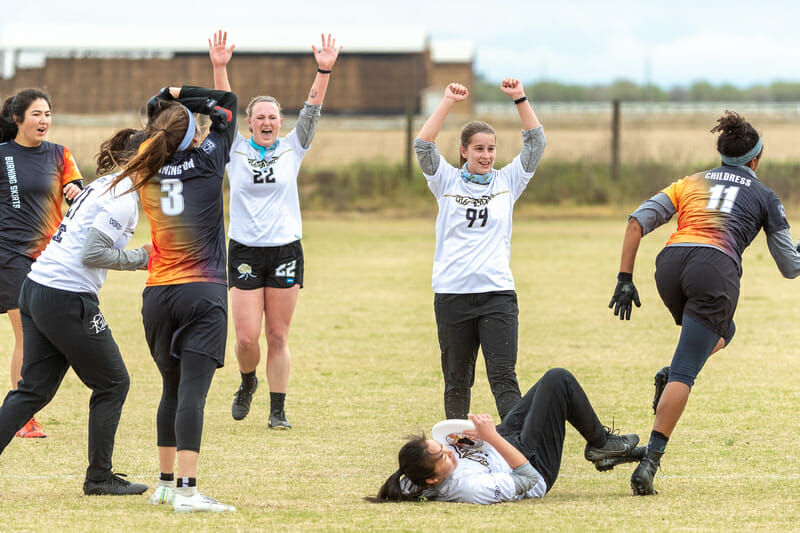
(586, 42)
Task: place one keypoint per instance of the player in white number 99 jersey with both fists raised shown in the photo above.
(475, 301)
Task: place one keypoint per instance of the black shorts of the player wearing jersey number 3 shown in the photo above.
(188, 317)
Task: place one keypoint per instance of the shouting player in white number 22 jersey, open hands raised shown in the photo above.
(265, 258)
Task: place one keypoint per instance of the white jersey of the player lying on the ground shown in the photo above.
(481, 476)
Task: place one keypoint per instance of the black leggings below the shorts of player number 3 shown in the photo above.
(179, 420)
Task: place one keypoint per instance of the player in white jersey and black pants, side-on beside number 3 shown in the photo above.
(63, 325)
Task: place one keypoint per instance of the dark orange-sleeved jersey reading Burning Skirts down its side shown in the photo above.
(31, 191)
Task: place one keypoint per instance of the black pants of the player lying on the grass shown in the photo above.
(535, 426)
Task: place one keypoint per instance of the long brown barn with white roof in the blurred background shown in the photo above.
(99, 71)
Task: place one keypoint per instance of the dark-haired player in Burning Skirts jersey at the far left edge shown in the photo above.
(34, 174)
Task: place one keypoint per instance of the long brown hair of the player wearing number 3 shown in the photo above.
(164, 135)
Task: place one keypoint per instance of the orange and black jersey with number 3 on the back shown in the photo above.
(183, 204)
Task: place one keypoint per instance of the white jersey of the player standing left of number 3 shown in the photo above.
(114, 213)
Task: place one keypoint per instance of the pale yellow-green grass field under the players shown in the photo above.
(366, 372)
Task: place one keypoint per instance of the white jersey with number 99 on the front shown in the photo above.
(473, 229)
